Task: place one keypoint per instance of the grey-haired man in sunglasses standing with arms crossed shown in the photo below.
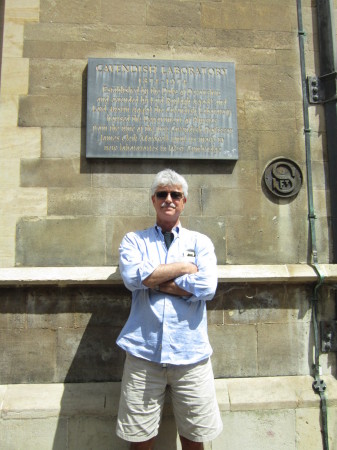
(171, 272)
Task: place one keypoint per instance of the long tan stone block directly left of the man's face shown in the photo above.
(97, 201)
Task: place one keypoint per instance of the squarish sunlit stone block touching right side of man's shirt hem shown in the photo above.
(234, 350)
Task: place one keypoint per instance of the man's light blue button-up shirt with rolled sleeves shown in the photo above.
(161, 327)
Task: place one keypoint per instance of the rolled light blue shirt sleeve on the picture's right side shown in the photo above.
(202, 284)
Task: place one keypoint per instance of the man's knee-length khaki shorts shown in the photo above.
(193, 397)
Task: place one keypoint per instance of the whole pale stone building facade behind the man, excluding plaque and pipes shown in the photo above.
(62, 217)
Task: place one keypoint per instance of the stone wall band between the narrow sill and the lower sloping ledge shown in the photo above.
(52, 334)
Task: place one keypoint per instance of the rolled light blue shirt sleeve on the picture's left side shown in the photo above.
(133, 266)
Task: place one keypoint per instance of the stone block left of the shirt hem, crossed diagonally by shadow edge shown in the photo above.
(89, 354)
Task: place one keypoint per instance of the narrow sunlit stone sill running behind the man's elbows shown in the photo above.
(63, 276)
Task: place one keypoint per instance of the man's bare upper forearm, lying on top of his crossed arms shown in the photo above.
(167, 272)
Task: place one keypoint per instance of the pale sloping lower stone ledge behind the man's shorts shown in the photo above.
(27, 401)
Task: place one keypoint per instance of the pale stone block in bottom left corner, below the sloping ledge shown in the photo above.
(31, 434)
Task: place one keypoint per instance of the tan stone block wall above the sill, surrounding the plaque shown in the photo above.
(57, 208)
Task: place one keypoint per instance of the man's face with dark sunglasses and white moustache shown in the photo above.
(169, 202)
